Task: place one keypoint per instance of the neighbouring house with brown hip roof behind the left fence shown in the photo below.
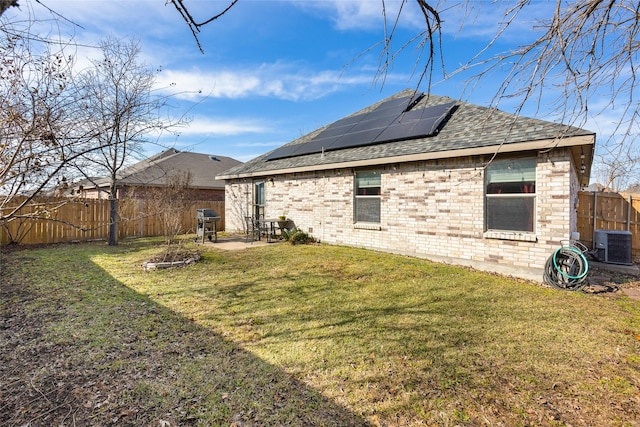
(137, 180)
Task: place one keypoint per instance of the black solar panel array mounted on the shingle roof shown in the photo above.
(391, 121)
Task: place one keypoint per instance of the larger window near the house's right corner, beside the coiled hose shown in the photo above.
(511, 195)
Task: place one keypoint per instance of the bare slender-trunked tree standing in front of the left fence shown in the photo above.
(118, 99)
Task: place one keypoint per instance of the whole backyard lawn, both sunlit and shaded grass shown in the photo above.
(304, 335)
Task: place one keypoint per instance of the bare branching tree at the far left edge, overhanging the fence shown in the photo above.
(39, 139)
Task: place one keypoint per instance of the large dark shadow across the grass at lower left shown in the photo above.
(80, 348)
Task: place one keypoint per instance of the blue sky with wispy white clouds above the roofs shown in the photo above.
(272, 71)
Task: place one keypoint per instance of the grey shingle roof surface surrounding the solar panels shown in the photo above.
(469, 126)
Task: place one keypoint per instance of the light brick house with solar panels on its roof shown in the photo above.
(426, 176)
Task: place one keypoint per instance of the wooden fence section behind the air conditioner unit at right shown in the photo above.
(609, 211)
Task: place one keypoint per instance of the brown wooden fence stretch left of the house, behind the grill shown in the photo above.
(88, 219)
